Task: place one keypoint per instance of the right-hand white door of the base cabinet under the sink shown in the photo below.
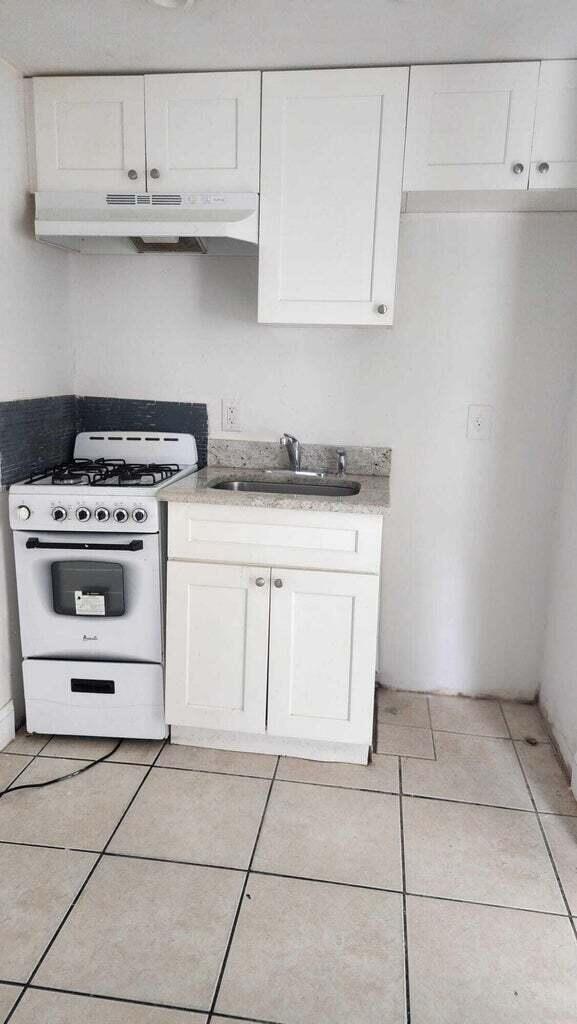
(322, 656)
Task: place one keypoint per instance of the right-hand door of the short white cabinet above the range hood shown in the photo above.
(203, 132)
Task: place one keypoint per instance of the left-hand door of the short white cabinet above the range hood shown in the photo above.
(90, 134)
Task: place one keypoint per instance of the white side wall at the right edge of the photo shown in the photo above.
(559, 693)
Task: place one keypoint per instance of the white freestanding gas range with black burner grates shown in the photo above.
(90, 543)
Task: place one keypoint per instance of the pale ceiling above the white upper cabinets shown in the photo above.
(73, 36)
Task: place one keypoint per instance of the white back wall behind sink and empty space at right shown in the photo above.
(487, 314)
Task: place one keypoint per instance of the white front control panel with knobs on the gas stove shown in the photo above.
(136, 515)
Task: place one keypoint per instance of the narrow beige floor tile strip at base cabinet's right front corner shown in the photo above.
(381, 776)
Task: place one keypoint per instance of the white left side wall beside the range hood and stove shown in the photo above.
(35, 348)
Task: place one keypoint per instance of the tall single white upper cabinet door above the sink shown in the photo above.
(331, 197)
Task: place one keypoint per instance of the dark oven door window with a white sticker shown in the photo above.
(88, 588)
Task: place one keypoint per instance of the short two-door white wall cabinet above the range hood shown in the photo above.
(148, 134)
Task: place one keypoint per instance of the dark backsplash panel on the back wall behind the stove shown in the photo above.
(138, 414)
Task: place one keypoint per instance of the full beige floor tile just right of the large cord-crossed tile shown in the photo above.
(196, 817)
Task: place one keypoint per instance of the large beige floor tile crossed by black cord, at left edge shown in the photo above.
(80, 813)
